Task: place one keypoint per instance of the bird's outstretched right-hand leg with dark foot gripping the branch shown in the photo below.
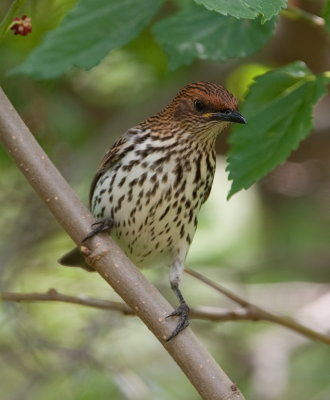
(182, 311)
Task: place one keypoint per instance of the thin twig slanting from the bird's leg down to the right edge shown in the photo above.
(257, 313)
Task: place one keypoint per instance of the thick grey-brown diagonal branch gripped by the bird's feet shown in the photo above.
(109, 260)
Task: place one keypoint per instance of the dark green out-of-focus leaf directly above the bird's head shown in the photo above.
(198, 33)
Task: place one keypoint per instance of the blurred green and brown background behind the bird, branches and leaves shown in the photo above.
(270, 243)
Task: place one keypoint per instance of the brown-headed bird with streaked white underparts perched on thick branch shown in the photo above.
(151, 184)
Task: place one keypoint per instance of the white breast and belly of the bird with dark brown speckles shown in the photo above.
(154, 196)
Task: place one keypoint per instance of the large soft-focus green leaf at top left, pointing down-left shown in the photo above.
(87, 34)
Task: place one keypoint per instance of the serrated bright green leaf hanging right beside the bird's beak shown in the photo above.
(278, 110)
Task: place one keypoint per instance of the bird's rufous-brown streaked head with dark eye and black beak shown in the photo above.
(204, 106)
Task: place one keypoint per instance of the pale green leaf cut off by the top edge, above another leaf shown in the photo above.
(245, 8)
